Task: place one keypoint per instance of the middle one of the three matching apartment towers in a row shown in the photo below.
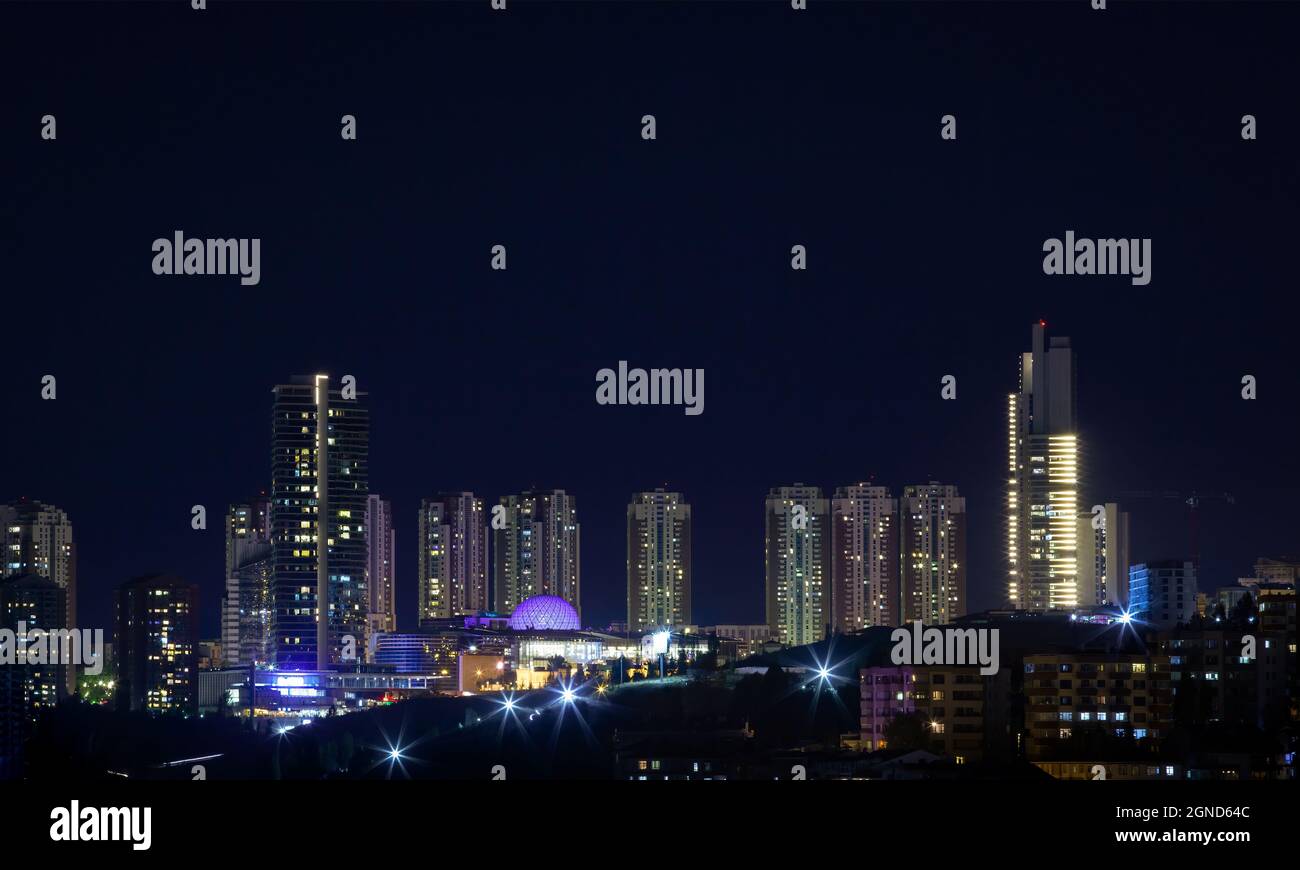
(865, 559)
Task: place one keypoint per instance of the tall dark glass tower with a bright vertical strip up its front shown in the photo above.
(320, 486)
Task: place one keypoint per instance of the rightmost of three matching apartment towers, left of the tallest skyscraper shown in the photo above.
(933, 553)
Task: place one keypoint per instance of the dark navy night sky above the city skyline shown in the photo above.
(774, 128)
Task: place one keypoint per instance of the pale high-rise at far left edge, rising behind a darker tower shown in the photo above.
(38, 539)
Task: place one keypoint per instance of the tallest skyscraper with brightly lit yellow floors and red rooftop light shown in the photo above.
(1043, 479)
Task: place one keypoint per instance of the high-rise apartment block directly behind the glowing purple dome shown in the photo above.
(536, 549)
